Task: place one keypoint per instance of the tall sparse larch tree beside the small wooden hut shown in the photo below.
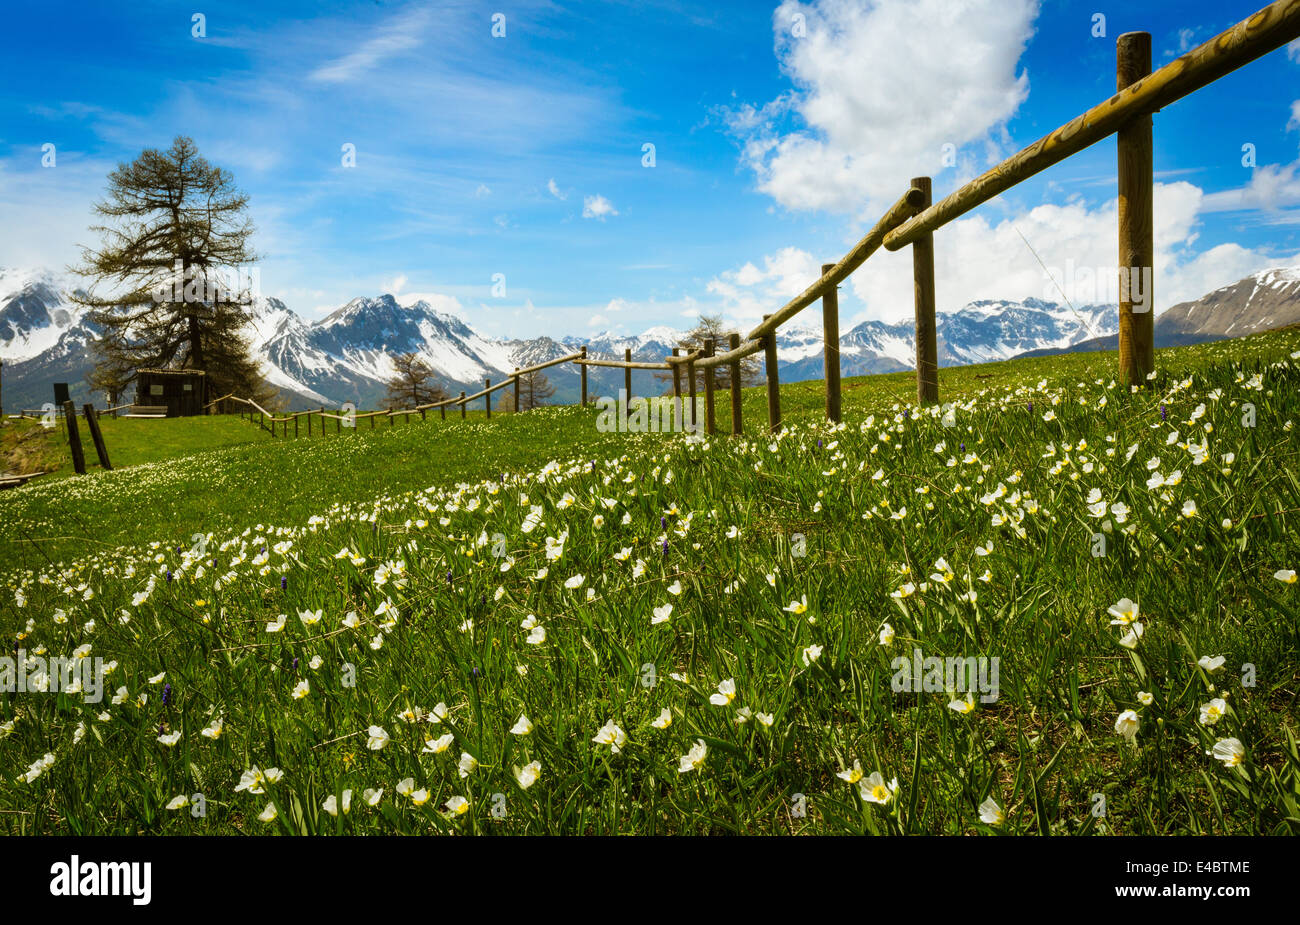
(168, 286)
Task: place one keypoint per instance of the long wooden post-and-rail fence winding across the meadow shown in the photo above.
(915, 219)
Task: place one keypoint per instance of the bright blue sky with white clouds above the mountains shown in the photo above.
(525, 155)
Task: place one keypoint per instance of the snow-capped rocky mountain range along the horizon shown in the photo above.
(346, 357)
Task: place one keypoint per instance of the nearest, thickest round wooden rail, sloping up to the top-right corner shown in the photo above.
(1263, 33)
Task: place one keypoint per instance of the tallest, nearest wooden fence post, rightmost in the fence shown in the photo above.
(1137, 250)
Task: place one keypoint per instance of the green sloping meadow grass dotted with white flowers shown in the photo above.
(441, 581)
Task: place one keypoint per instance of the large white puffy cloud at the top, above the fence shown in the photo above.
(882, 86)
